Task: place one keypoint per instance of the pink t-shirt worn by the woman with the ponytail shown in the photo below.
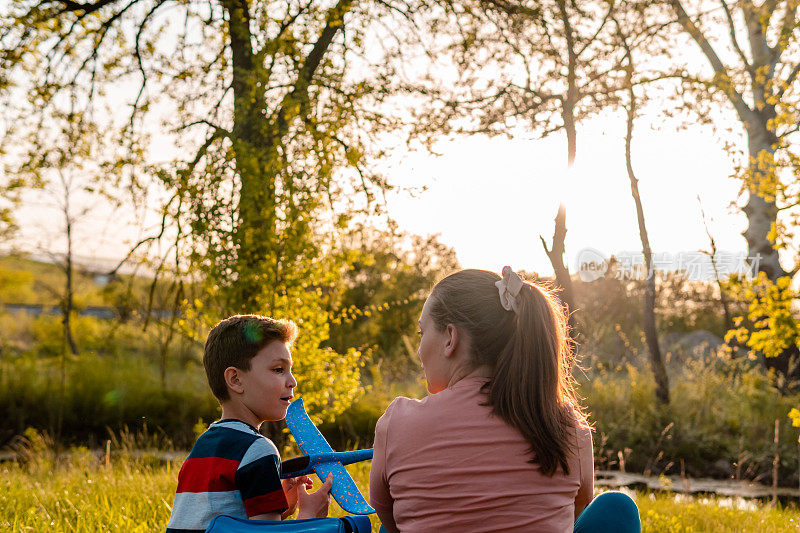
(445, 463)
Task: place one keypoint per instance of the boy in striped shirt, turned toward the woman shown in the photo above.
(232, 469)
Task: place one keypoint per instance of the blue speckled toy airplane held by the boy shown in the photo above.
(321, 459)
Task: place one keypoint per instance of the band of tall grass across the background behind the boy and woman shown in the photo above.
(720, 422)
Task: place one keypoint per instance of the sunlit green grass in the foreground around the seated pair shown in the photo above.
(134, 496)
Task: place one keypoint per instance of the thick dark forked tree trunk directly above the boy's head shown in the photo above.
(256, 140)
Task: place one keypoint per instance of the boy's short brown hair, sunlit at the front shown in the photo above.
(235, 341)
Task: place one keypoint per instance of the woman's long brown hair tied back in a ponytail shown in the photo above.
(529, 353)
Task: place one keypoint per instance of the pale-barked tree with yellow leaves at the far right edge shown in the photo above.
(754, 54)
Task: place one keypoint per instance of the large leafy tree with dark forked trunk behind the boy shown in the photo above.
(266, 121)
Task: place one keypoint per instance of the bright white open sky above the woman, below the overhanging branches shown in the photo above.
(491, 198)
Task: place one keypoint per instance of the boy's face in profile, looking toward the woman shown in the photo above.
(269, 384)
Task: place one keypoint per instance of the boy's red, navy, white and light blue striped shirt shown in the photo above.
(231, 470)
